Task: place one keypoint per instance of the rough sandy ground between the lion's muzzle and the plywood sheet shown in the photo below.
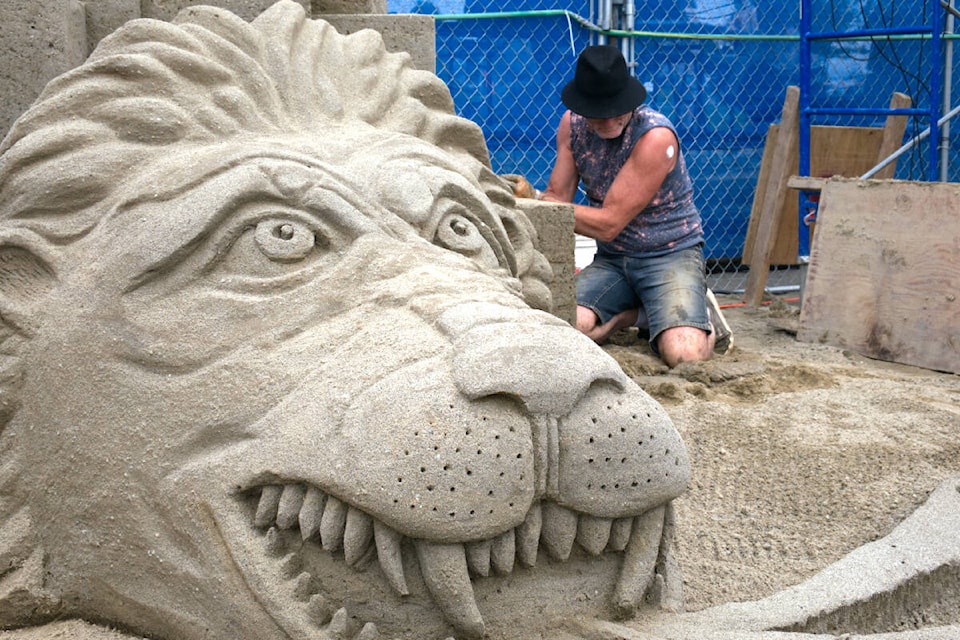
(801, 452)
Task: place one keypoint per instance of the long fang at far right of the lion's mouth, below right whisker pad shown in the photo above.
(639, 562)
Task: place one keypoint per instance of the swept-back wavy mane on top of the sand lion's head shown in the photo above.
(205, 78)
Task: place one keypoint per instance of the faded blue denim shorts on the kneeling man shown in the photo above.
(671, 289)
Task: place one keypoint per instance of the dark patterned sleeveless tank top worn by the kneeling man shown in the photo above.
(671, 221)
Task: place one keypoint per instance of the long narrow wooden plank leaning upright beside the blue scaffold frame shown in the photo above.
(787, 150)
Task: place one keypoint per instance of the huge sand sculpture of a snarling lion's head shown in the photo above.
(276, 357)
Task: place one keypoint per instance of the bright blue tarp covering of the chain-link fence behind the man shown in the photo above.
(719, 69)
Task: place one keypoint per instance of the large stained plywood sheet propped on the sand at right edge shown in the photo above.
(884, 274)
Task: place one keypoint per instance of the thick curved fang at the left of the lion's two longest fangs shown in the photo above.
(444, 569)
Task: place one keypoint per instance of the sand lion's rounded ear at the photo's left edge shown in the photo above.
(27, 276)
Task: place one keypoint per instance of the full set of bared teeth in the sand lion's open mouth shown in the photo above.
(325, 522)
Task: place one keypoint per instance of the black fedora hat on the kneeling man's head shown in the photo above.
(602, 87)
